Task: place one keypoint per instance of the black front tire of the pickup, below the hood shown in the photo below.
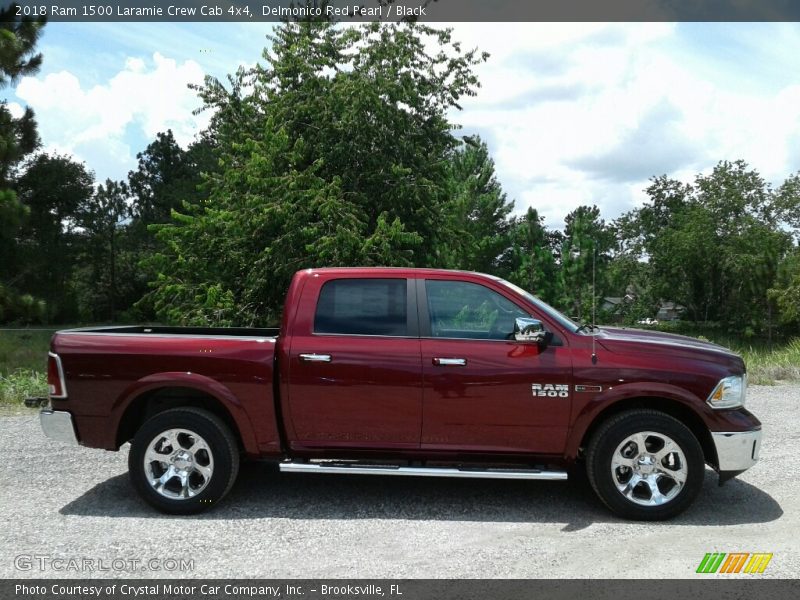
(676, 497)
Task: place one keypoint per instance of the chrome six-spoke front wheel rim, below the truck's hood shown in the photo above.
(649, 468)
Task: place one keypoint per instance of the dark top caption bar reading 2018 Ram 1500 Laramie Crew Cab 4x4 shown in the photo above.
(402, 10)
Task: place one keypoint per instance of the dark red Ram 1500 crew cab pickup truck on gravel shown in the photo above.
(407, 372)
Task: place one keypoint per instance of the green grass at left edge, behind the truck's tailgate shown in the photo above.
(23, 364)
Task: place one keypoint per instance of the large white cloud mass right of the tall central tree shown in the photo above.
(586, 113)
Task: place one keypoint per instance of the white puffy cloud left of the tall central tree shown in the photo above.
(95, 123)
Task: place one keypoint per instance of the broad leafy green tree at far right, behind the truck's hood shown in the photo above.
(714, 245)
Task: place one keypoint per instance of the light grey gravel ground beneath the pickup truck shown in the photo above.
(66, 502)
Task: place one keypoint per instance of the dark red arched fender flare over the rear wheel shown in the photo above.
(193, 381)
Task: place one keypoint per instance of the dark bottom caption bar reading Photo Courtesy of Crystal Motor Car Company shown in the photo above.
(402, 589)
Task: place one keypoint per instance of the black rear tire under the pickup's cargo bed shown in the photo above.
(218, 455)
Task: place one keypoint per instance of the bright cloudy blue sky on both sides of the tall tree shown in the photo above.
(573, 113)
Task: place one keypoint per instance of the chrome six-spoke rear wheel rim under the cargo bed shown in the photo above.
(178, 464)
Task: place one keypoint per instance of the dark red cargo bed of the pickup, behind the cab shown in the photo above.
(114, 373)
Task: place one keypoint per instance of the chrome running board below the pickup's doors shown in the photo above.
(360, 469)
